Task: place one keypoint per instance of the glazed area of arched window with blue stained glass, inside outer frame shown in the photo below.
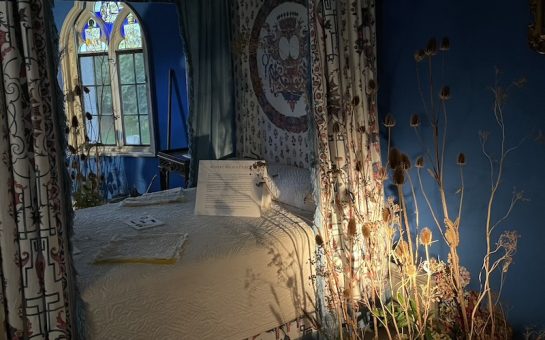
(112, 73)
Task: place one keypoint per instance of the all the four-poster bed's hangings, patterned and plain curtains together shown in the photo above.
(325, 82)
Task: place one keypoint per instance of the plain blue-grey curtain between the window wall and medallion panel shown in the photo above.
(206, 31)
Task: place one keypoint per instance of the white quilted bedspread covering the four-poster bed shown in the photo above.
(236, 277)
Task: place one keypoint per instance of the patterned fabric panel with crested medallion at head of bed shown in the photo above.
(271, 61)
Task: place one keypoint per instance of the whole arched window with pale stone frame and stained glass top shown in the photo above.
(105, 76)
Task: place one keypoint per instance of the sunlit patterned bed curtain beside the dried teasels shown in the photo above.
(343, 64)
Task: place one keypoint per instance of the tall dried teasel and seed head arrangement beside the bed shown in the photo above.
(407, 293)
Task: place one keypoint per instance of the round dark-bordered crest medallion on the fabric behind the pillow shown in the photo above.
(278, 60)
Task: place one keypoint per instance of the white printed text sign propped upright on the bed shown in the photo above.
(231, 188)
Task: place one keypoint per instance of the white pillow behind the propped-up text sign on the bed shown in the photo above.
(291, 185)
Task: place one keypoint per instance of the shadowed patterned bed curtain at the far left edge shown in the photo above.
(35, 267)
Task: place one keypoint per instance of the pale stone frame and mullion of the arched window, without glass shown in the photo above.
(74, 22)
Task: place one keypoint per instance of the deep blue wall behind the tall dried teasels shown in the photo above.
(483, 34)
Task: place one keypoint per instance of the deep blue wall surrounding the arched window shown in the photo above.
(165, 51)
